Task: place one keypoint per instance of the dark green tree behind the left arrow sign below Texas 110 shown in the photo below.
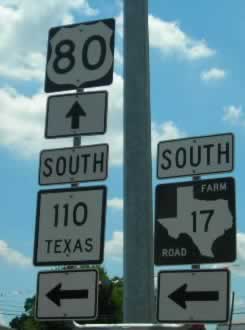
(109, 309)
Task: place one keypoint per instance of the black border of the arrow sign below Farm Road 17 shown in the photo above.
(195, 271)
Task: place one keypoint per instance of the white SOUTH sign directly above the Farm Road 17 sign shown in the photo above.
(195, 156)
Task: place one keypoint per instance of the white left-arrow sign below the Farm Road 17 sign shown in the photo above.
(193, 296)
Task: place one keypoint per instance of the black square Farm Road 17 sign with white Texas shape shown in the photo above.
(195, 222)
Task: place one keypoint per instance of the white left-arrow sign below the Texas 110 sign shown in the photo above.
(67, 295)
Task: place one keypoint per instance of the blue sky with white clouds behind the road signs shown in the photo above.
(197, 88)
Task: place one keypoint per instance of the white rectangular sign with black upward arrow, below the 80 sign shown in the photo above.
(76, 114)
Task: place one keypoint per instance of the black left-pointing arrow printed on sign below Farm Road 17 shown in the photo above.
(180, 296)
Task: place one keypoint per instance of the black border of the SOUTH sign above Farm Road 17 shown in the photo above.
(197, 173)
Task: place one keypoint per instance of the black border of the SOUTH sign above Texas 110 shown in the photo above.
(75, 181)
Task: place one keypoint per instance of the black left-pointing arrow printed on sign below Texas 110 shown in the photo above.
(56, 294)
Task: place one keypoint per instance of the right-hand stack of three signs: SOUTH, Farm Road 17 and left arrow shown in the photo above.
(195, 223)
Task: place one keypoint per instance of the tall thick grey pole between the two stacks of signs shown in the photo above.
(138, 225)
